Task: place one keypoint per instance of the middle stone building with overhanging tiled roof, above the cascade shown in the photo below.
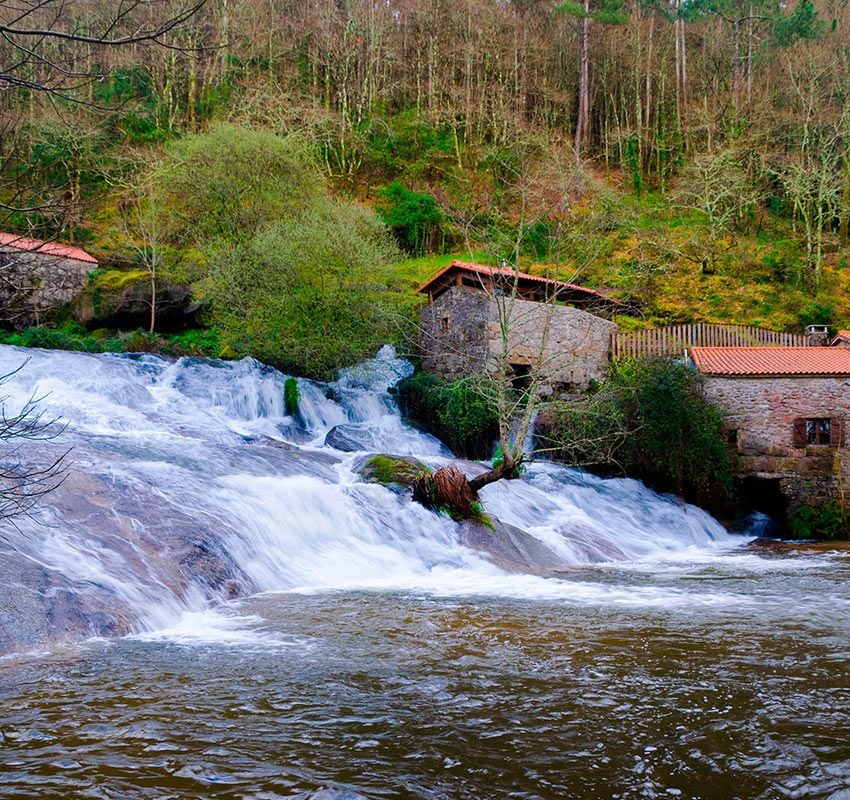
(556, 327)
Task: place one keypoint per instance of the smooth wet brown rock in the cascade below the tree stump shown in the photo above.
(510, 548)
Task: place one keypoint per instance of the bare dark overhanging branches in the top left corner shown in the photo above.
(54, 53)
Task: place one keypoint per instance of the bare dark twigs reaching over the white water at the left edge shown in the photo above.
(24, 481)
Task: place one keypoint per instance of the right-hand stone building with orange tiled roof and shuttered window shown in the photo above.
(787, 410)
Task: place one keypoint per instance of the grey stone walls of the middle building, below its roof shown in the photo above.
(461, 334)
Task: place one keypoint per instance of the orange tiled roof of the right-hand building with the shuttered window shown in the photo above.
(771, 360)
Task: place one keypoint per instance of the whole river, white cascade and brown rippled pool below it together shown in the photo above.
(215, 605)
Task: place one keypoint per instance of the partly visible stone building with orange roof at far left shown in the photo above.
(36, 277)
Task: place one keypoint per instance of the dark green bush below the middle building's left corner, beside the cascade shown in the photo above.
(456, 412)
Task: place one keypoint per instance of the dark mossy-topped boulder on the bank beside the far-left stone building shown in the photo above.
(122, 299)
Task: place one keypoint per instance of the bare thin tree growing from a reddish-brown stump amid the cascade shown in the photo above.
(524, 331)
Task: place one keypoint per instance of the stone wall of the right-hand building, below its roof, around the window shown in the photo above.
(760, 414)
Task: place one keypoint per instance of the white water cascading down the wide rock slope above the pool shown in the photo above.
(190, 484)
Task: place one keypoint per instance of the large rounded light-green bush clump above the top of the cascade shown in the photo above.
(288, 274)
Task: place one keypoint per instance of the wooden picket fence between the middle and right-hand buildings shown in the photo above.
(675, 339)
